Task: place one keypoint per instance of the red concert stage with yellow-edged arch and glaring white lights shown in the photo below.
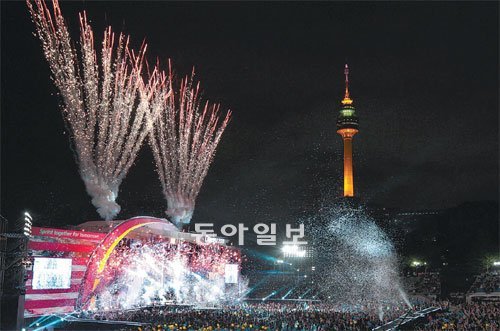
(89, 267)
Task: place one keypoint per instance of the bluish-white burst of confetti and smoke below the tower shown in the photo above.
(360, 265)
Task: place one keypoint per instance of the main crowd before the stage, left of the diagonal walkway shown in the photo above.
(284, 316)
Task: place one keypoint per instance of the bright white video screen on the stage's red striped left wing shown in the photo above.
(51, 273)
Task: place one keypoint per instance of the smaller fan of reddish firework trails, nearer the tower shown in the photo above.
(184, 141)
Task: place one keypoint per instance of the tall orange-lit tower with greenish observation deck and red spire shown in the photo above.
(347, 127)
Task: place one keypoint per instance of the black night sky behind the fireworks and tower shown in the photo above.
(424, 79)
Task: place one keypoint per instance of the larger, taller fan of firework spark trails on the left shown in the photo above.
(106, 105)
